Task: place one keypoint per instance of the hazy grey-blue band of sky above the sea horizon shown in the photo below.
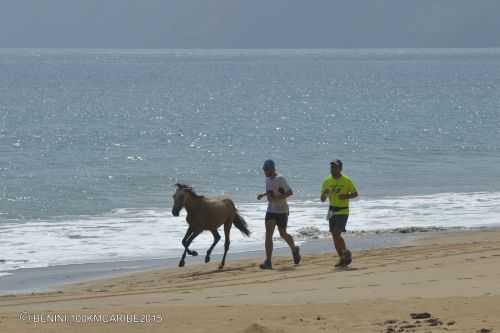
(249, 23)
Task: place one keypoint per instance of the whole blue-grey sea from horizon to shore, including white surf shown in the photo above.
(92, 141)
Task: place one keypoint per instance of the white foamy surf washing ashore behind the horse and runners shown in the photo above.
(154, 233)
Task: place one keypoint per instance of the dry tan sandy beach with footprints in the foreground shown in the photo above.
(449, 281)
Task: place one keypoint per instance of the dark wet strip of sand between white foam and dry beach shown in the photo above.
(47, 279)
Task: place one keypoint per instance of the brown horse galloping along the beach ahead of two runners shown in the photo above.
(206, 214)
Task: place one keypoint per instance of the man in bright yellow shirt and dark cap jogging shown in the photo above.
(339, 189)
